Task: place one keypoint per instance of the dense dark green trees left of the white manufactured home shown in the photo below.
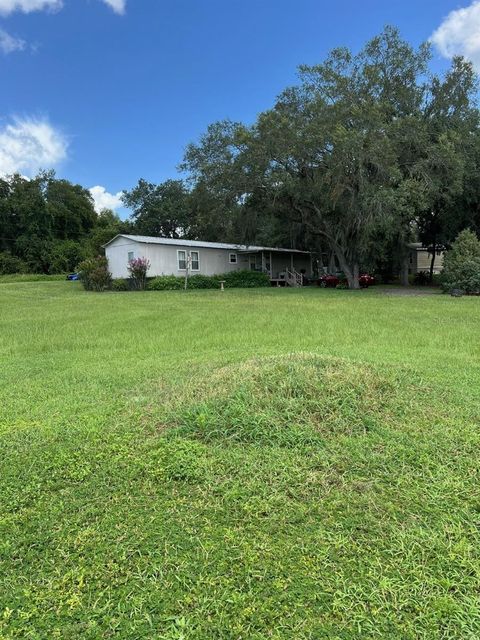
(48, 225)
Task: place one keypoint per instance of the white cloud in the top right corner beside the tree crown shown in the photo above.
(459, 34)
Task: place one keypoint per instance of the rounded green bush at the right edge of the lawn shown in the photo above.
(462, 264)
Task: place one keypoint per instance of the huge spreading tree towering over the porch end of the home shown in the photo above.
(365, 152)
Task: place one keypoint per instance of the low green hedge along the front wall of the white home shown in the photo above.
(233, 280)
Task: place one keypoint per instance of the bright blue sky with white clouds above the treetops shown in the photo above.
(109, 91)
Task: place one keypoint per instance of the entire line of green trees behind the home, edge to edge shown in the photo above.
(365, 154)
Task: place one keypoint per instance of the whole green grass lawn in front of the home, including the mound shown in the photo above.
(243, 465)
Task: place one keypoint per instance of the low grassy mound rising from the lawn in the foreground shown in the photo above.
(292, 400)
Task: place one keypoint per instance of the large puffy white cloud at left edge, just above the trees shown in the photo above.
(29, 144)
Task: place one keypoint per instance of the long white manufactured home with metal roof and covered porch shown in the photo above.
(174, 257)
